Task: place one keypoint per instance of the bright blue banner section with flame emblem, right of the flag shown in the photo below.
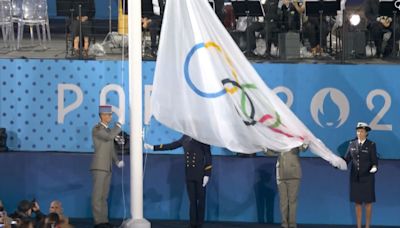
(365, 92)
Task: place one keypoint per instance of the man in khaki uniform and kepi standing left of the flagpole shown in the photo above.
(103, 158)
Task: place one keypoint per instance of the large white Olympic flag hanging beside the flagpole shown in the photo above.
(205, 87)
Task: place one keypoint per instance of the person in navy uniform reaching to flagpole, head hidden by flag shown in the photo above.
(197, 169)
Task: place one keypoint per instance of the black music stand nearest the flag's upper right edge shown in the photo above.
(248, 8)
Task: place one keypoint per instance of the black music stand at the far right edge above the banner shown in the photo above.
(390, 8)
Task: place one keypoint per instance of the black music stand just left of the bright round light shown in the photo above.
(322, 8)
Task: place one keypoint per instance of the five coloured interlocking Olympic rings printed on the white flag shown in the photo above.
(232, 86)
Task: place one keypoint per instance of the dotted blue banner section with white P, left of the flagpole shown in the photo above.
(29, 102)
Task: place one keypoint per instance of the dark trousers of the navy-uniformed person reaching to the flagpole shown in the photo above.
(197, 196)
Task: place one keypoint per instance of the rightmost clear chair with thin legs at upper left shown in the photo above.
(31, 13)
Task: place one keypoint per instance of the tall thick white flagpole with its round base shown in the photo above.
(135, 103)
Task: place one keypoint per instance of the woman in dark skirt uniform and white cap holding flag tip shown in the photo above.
(364, 162)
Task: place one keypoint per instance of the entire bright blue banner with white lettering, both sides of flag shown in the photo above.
(329, 99)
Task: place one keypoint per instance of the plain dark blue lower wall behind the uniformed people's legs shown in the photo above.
(240, 189)
